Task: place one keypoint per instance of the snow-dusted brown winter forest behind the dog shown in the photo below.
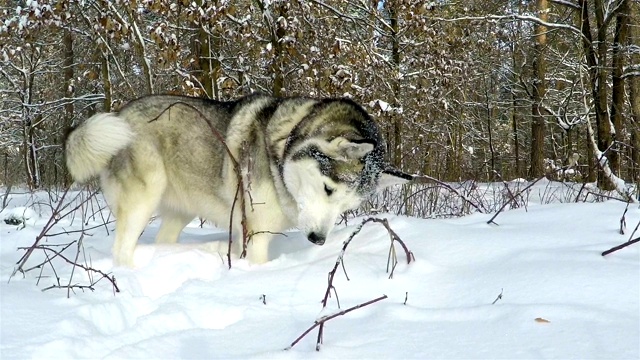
(482, 90)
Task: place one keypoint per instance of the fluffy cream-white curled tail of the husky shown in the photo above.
(90, 147)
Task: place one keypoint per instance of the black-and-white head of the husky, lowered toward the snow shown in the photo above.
(334, 161)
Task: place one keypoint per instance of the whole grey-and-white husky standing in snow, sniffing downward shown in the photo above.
(303, 162)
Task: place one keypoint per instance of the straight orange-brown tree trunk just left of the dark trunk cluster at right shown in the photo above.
(538, 93)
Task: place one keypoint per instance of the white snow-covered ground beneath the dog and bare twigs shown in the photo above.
(560, 298)
